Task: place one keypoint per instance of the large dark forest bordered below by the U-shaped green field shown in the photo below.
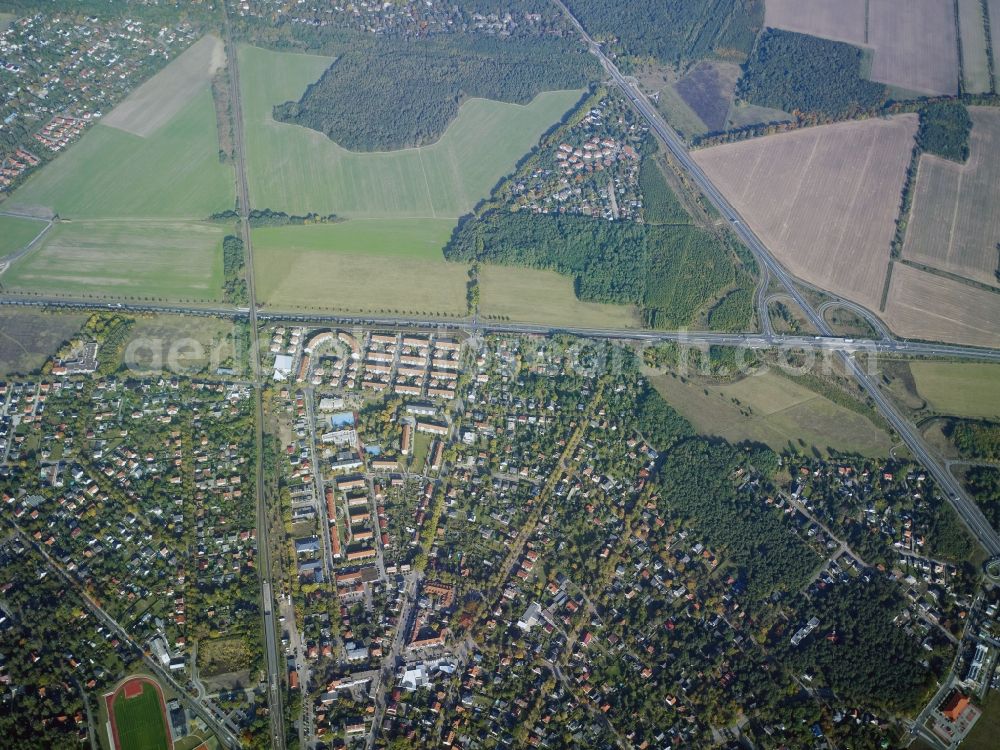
(391, 93)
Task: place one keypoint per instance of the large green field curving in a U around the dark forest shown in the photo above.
(298, 170)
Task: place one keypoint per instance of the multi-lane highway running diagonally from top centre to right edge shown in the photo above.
(963, 504)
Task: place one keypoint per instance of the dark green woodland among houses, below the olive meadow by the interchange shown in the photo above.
(699, 482)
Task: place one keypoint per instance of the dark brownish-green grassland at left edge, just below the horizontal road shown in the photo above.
(29, 336)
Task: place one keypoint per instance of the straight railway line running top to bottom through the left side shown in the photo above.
(273, 656)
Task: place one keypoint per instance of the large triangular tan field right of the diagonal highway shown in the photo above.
(823, 199)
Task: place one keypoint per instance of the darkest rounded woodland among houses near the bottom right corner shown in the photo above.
(857, 650)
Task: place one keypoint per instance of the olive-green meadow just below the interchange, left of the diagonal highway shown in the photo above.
(769, 408)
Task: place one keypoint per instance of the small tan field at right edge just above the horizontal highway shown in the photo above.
(924, 306)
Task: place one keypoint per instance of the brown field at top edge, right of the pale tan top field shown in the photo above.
(915, 44)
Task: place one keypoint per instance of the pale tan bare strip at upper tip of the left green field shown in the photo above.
(155, 102)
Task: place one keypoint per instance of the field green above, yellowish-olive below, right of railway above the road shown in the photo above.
(393, 267)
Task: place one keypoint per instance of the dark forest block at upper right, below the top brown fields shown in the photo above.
(802, 73)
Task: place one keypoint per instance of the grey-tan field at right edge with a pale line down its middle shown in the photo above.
(955, 223)
